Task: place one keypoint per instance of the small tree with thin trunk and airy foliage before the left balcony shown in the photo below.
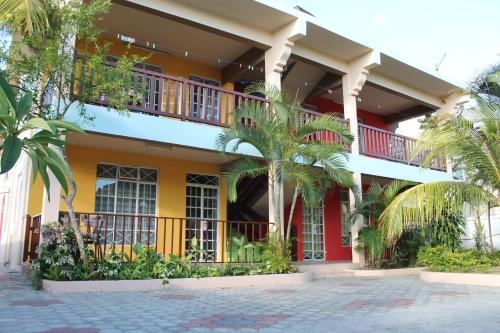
(43, 63)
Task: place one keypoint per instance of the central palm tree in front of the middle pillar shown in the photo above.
(287, 156)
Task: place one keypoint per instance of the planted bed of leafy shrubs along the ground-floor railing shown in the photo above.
(60, 260)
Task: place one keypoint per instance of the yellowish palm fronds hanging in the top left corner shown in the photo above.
(25, 16)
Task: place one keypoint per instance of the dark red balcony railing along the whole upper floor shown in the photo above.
(188, 100)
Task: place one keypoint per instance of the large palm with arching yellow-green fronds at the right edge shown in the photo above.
(470, 139)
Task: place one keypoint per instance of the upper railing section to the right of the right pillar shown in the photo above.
(393, 147)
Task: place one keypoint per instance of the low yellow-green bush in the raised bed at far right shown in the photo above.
(443, 259)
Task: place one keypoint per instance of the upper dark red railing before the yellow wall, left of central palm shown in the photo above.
(164, 95)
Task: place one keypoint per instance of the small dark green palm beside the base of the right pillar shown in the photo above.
(370, 205)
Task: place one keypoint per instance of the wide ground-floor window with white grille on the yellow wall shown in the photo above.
(129, 194)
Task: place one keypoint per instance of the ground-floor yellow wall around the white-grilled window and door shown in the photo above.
(171, 190)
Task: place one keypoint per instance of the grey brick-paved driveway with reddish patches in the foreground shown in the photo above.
(345, 304)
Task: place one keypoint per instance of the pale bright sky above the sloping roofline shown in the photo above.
(419, 32)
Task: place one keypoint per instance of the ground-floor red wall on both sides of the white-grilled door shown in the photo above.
(332, 227)
